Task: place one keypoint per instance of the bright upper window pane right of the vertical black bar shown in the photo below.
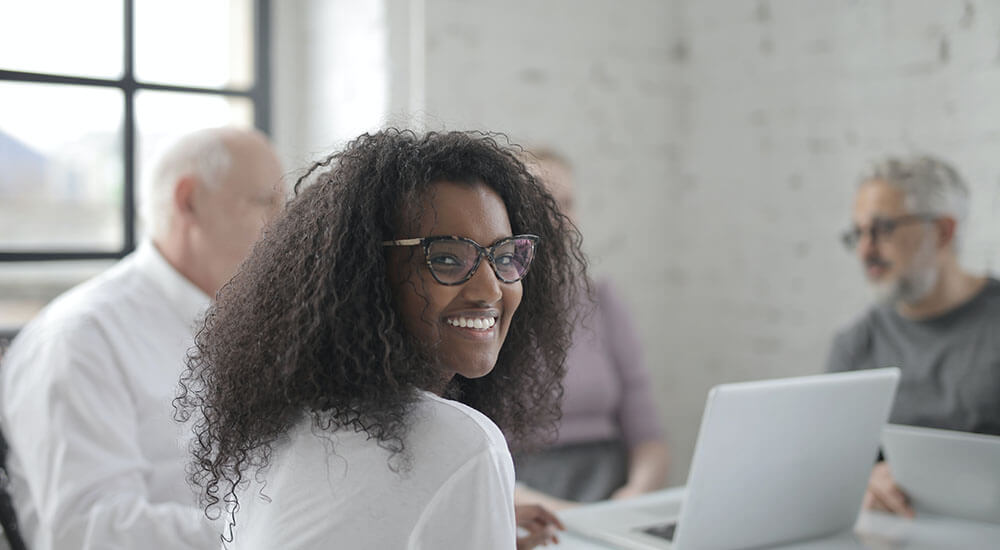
(204, 43)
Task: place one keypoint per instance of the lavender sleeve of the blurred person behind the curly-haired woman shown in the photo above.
(637, 416)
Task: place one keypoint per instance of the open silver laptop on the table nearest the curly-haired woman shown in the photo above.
(776, 461)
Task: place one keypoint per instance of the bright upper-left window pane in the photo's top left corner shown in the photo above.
(63, 36)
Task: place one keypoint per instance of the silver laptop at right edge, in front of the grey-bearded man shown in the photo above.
(945, 472)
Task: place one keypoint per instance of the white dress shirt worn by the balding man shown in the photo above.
(96, 459)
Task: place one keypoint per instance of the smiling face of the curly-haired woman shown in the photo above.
(448, 303)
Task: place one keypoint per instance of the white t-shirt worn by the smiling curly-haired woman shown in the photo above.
(336, 489)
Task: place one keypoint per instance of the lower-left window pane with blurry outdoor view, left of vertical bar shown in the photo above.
(61, 168)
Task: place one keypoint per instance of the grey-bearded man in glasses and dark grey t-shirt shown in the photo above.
(939, 323)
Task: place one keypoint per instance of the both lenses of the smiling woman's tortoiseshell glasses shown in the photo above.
(451, 261)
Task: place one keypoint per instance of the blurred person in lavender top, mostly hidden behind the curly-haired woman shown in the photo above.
(610, 441)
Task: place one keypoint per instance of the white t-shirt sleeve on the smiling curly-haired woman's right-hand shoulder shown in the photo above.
(474, 508)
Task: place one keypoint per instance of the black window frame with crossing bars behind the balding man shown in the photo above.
(259, 94)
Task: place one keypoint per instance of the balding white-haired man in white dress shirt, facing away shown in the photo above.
(86, 389)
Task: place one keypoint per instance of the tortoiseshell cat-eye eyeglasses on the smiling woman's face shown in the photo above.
(454, 260)
